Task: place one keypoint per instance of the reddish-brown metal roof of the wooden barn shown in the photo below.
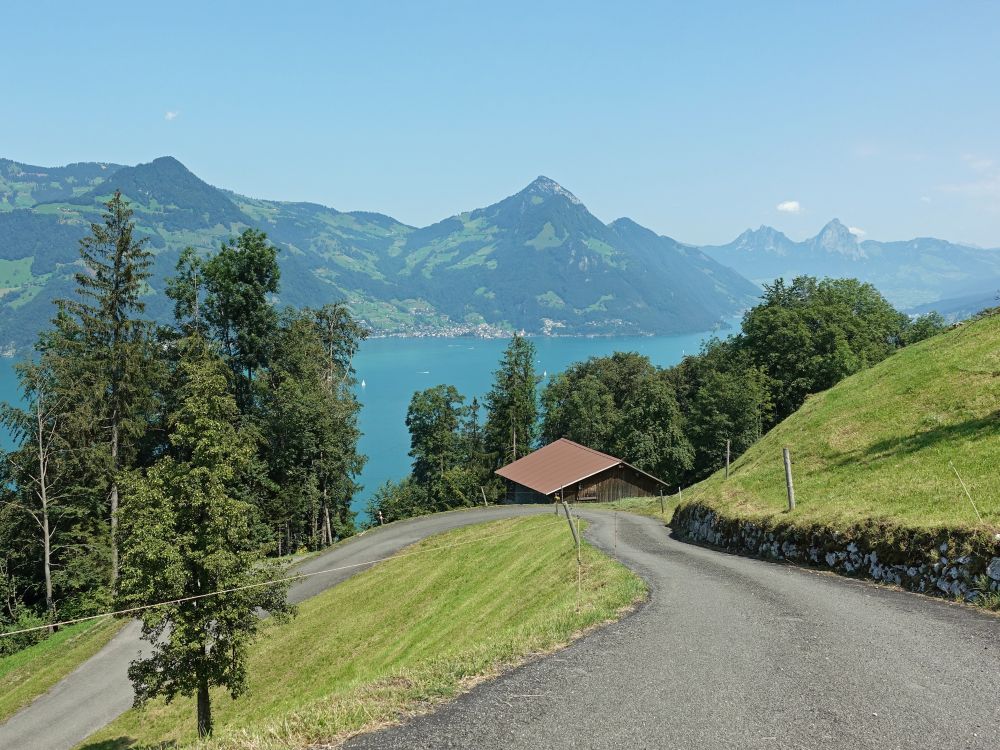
(558, 465)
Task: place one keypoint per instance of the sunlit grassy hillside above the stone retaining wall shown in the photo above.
(878, 444)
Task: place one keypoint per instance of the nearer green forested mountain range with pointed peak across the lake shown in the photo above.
(537, 260)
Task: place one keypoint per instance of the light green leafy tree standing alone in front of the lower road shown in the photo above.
(186, 536)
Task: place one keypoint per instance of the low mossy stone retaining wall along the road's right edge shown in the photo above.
(953, 563)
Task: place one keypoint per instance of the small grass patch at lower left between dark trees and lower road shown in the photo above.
(29, 673)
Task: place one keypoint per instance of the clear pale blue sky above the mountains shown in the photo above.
(696, 119)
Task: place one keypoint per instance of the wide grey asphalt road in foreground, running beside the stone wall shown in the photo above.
(742, 654)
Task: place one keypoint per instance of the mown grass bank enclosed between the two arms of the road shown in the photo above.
(406, 634)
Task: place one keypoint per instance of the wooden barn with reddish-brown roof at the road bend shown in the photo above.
(575, 473)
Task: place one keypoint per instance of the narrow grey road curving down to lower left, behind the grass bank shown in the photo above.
(99, 690)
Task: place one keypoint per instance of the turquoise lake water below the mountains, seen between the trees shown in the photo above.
(393, 368)
